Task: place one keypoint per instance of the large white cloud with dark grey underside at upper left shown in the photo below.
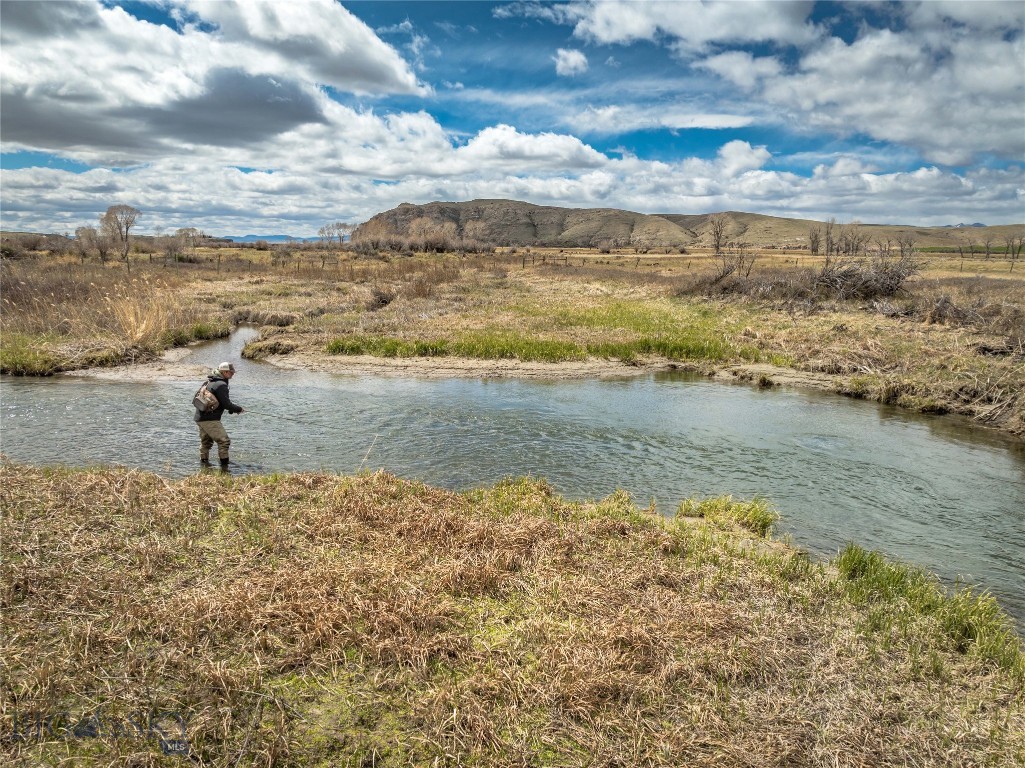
(99, 86)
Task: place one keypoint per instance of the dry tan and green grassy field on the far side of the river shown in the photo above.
(951, 340)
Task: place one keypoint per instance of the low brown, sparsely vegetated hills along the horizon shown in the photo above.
(516, 223)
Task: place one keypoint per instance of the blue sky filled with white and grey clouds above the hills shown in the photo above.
(279, 117)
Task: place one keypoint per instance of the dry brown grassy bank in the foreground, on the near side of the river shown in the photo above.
(309, 620)
